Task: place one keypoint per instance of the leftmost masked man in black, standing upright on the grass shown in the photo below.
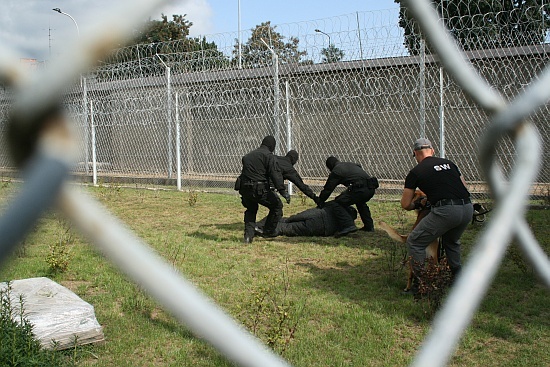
(260, 170)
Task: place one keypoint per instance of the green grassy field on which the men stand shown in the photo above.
(316, 301)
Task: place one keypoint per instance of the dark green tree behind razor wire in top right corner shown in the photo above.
(482, 24)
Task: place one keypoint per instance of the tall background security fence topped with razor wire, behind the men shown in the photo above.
(161, 114)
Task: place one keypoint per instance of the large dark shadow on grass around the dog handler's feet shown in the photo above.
(515, 298)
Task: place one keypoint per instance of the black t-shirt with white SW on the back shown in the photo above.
(438, 178)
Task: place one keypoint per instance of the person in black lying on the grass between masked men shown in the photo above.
(311, 222)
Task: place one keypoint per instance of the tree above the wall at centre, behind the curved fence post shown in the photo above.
(255, 53)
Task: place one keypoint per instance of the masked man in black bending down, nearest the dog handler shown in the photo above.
(360, 189)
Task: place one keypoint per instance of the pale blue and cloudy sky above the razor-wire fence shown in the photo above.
(31, 29)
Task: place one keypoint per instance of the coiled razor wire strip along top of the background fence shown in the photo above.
(365, 35)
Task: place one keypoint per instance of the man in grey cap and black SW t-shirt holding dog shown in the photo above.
(451, 208)
